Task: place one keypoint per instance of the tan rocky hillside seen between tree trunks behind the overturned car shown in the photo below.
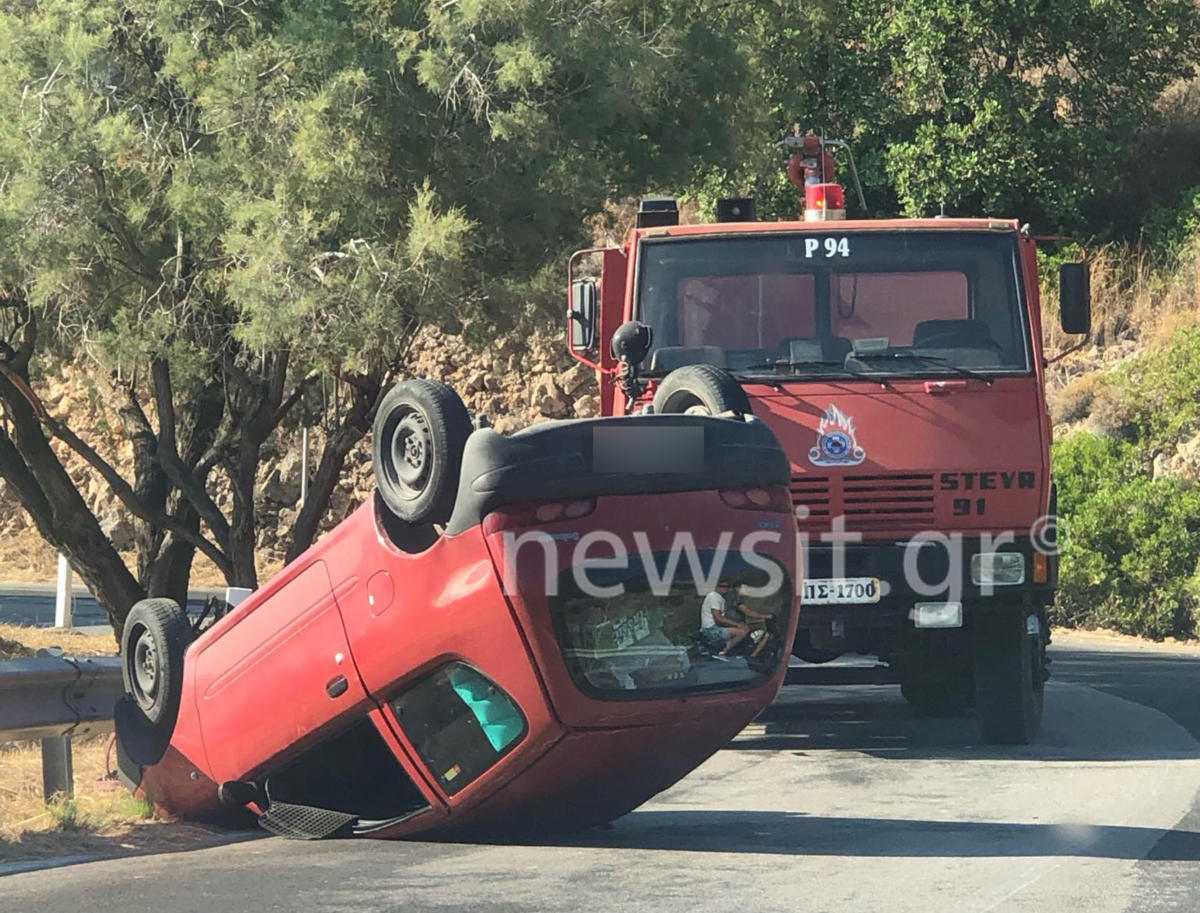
(517, 383)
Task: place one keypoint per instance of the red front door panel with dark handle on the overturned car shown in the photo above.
(277, 674)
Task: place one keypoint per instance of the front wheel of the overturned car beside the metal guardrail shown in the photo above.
(154, 640)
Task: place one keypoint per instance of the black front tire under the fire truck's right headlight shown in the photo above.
(1010, 674)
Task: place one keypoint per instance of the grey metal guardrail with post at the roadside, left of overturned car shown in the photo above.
(55, 699)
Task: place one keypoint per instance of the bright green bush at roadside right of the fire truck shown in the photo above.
(1131, 561)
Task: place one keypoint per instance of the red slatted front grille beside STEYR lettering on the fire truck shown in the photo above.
(866, 501)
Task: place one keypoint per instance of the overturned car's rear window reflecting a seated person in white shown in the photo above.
(635, 633)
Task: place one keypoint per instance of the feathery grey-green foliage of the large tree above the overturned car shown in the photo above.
(327, 175)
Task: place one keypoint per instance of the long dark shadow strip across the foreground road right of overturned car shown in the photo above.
(797, 834)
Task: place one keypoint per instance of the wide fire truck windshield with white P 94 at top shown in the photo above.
(893, 304)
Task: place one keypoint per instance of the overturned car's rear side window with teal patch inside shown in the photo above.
(461, 724)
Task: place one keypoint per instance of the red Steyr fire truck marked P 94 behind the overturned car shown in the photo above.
(901, 364)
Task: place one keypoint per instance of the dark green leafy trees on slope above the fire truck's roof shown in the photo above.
(1046, 112)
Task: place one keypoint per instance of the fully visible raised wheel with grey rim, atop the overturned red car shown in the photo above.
(419, 436)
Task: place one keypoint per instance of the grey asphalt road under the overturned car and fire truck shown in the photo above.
(837, 800)
